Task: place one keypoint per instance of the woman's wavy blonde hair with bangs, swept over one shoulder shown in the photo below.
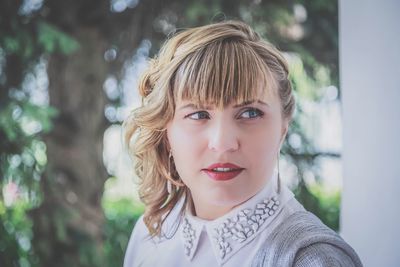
(221, 63)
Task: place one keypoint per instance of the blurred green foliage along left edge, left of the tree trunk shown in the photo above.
(23, 124)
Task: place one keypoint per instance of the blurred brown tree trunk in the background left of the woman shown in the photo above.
(70, 216)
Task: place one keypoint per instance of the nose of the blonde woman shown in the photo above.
(223, 137)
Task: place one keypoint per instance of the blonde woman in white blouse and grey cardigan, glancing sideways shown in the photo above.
(217, 104)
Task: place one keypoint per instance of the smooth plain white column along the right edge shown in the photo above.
(369, 48)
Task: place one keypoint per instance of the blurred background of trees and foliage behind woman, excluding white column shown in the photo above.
(68, 78)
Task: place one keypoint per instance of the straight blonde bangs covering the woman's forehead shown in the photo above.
(223, 72)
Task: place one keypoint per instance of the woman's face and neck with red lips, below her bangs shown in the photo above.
(225, 156)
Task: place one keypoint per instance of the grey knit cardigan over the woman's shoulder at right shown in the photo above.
(302, 240)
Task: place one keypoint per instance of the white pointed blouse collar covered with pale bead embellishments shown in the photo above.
(234, 230)
